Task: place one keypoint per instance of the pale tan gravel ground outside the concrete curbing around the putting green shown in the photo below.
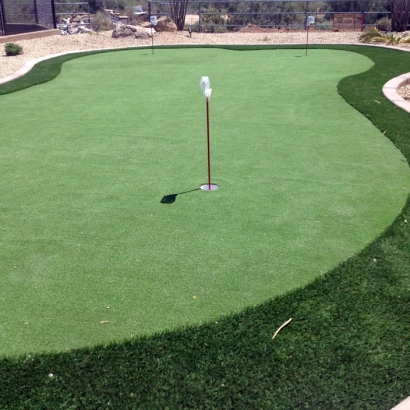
(36, 48)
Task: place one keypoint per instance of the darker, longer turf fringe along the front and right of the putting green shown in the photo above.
(346, 347)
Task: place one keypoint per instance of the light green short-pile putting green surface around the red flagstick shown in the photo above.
(305, 182)
